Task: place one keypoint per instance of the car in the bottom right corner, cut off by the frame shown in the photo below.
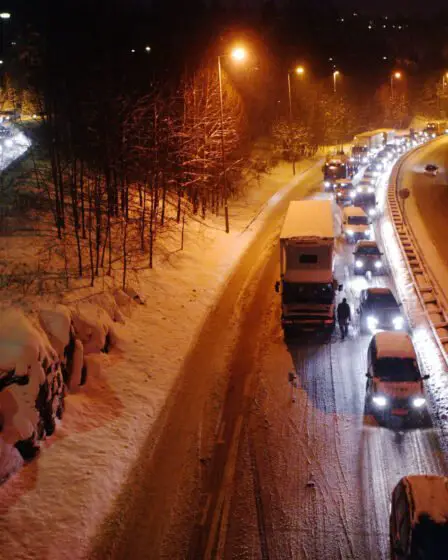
(418, 523)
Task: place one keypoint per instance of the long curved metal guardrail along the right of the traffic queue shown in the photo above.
(425, 283)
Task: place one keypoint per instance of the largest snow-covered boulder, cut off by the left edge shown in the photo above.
(32, 389)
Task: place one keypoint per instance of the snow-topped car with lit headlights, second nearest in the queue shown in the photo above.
(394, 382)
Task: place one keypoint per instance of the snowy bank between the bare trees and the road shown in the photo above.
(53, 506)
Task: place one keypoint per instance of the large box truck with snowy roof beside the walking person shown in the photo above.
(307, 283)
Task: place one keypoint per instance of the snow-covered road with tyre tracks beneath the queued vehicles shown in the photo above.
(239, 471)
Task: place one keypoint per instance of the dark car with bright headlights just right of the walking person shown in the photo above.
(379, 310)
